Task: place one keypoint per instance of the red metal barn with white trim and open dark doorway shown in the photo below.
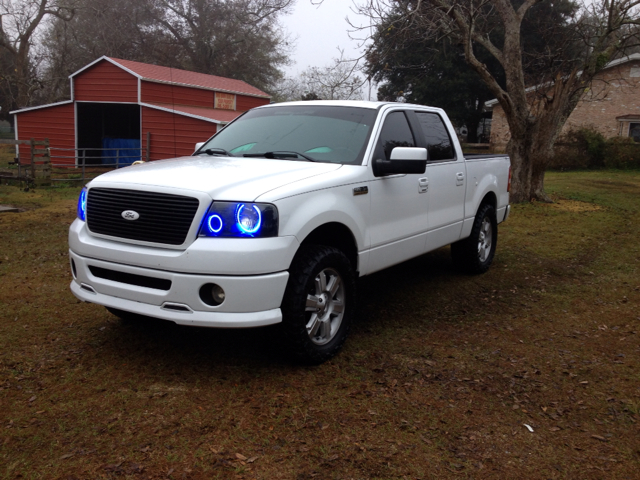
(129, 103)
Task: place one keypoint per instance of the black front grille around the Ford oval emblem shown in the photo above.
(164, 218)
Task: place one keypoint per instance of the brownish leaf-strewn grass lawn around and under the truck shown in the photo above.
(440, 378)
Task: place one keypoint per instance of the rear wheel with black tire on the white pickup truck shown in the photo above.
(475, 253)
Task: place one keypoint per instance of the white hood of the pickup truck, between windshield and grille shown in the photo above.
(224, 178)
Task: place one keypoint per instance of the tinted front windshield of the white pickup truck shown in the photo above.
(308, 133)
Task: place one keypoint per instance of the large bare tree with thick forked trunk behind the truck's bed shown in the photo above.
(603, 28)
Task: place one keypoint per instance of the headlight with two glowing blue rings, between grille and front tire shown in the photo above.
(237, 219)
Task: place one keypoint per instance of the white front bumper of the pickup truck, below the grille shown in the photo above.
(251, 300)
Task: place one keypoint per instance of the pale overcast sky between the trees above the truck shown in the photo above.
(318, 31)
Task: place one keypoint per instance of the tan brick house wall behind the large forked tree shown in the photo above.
(610, 106)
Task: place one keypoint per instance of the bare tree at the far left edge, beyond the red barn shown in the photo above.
(19, 22)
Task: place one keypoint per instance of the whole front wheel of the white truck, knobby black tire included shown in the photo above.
(318, 303)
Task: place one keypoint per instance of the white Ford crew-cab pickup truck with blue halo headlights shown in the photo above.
(273, 219)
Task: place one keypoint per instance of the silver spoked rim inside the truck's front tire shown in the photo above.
(325, 306)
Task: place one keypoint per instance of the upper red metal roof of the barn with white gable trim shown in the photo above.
(174, 76)
